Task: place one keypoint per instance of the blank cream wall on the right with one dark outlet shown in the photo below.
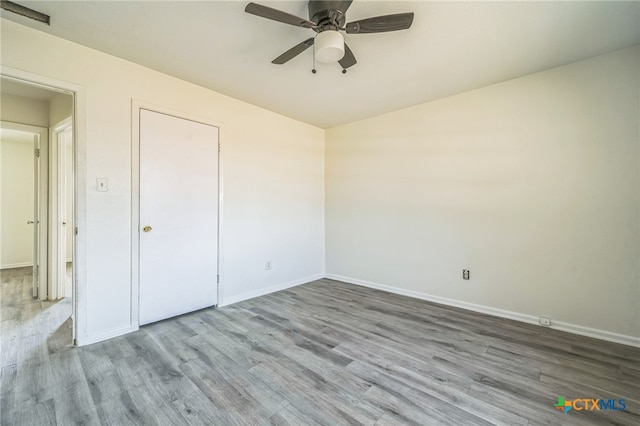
(532, 184)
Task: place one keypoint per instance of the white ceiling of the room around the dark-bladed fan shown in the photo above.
(452, 47)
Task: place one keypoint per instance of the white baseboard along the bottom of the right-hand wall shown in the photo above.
(530, 319)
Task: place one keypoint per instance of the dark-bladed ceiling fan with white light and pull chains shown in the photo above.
(327, 18)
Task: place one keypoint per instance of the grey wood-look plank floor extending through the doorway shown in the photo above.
(321, 353)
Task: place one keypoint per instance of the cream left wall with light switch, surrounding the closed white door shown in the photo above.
(272, 174)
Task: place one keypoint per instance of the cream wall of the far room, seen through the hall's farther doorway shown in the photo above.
(16, 203)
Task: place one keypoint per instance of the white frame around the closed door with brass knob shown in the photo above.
(136, 106)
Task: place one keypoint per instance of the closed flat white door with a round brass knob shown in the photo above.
(178, 216)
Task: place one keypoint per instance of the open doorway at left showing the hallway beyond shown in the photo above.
(37, 208)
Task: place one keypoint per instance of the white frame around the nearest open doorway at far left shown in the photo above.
(79, 285)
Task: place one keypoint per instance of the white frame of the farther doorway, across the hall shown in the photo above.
(42, 184)
